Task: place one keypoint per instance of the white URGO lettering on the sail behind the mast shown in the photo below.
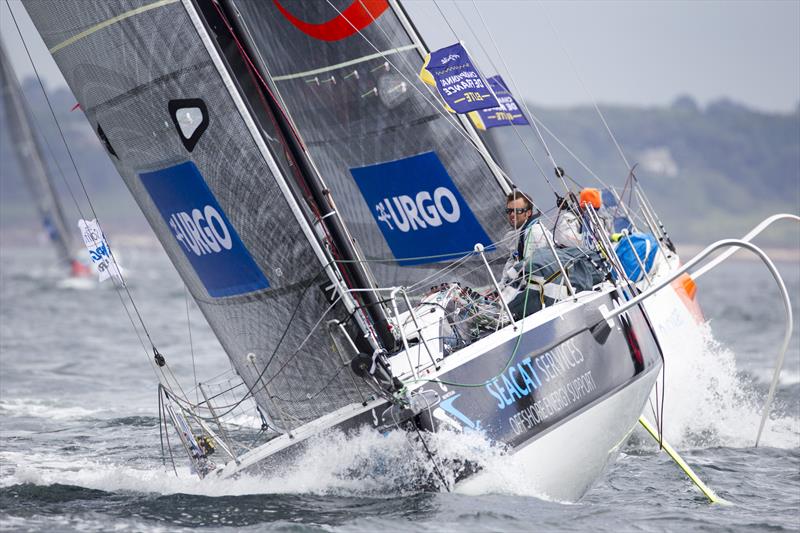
(423, 211)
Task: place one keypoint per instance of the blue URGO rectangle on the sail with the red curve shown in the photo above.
(421, 213)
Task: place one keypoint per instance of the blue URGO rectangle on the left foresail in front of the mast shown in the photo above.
(205, 234)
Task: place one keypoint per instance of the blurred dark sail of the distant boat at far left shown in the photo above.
(31, 159)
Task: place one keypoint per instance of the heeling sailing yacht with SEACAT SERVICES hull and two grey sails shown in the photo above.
(339, 229)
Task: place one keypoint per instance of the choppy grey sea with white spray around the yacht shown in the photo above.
(80, 444)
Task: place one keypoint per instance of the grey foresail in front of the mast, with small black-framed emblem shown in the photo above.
(212, 187)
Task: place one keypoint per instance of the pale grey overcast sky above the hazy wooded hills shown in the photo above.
(627, 52)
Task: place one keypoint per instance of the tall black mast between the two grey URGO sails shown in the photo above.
(346, 256)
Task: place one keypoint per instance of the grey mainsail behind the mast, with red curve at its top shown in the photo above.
(347, 74)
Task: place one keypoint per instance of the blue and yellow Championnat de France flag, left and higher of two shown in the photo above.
(451, 71)
